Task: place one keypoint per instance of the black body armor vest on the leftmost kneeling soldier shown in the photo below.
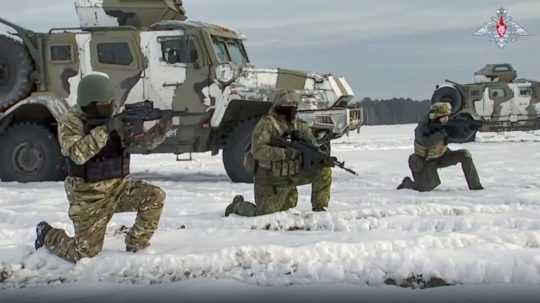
(110, 163)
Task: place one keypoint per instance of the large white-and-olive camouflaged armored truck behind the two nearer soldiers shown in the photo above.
(153, 53)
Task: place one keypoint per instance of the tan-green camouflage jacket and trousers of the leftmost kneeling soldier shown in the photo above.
(92, 204)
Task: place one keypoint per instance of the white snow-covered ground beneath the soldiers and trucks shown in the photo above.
(372, 234)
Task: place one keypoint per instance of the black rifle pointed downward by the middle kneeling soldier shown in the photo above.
(312, 155)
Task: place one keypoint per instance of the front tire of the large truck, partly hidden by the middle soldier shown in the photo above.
(239, 142)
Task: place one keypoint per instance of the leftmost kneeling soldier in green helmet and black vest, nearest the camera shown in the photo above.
(96, 186)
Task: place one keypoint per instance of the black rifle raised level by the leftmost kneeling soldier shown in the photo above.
(134, 116)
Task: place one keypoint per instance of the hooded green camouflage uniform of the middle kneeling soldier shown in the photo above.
(278, 171)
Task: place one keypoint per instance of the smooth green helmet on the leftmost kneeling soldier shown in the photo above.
(95, 87)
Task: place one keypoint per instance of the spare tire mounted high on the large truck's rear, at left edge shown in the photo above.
(15, 72)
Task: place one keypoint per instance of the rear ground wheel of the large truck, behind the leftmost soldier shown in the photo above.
(30, 153)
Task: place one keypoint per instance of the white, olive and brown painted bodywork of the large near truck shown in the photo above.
(191, 87)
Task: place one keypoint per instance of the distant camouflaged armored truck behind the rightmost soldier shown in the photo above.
(497, 99)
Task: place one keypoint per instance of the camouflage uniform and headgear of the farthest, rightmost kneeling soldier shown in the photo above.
(431, 152)
